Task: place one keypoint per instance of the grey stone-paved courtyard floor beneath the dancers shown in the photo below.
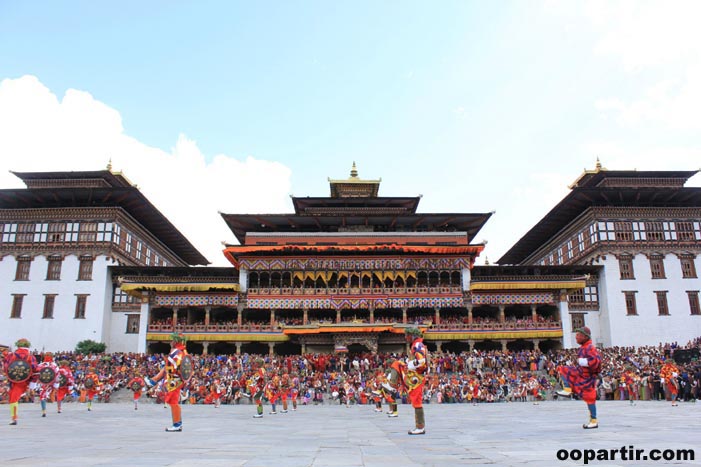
(513, 434)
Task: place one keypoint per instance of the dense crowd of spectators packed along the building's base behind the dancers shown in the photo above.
(628, 373)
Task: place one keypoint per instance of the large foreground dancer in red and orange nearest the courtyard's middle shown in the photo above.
(411, 376)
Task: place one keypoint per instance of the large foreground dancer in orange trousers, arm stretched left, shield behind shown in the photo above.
(177, 372)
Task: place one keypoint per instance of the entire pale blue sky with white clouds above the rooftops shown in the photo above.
(479, 106)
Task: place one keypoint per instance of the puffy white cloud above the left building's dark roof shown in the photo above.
(39, 132)
